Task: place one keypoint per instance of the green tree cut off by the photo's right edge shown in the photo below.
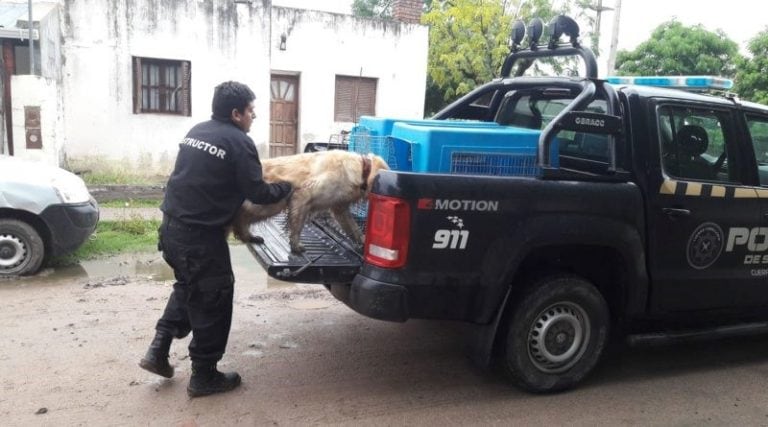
(752, 73)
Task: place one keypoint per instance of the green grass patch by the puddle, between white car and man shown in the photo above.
(115, 237)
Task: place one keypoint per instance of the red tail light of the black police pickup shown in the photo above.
(387, 231)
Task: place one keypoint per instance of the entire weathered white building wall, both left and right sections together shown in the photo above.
(86, 55)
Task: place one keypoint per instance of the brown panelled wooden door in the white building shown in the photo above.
(283, 116)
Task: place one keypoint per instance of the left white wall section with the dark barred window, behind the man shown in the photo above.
(221, 39)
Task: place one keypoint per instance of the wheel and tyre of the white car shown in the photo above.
(21, 248)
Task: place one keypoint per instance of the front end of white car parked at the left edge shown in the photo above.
(45, 211)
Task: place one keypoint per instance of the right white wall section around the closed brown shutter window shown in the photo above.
(321, 45)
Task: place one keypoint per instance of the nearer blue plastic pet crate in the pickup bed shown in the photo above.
(501, 150)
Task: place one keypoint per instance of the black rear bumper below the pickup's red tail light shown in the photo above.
(383, 301)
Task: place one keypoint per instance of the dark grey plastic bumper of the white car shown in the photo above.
(70, 225)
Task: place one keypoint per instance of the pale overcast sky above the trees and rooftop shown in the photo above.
(739, 19)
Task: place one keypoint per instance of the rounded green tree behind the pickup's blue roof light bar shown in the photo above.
(676, 49)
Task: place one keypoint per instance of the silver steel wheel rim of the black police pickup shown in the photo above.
(558, 337)
